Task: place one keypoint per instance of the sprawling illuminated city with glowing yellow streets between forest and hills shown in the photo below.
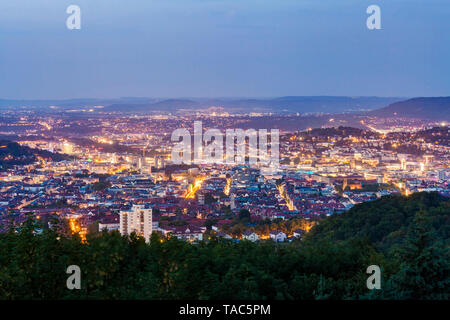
(119, 161)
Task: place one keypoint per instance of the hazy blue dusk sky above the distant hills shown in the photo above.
(229, 48)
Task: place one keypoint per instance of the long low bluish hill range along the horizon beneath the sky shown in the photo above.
(291, 104)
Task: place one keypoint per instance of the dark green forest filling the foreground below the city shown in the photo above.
(406, 236)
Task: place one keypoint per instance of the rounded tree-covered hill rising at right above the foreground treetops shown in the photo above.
(385, 222)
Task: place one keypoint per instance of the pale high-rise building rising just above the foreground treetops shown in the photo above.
(138, 219)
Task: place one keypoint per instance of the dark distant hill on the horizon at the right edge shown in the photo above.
(422, 108)
